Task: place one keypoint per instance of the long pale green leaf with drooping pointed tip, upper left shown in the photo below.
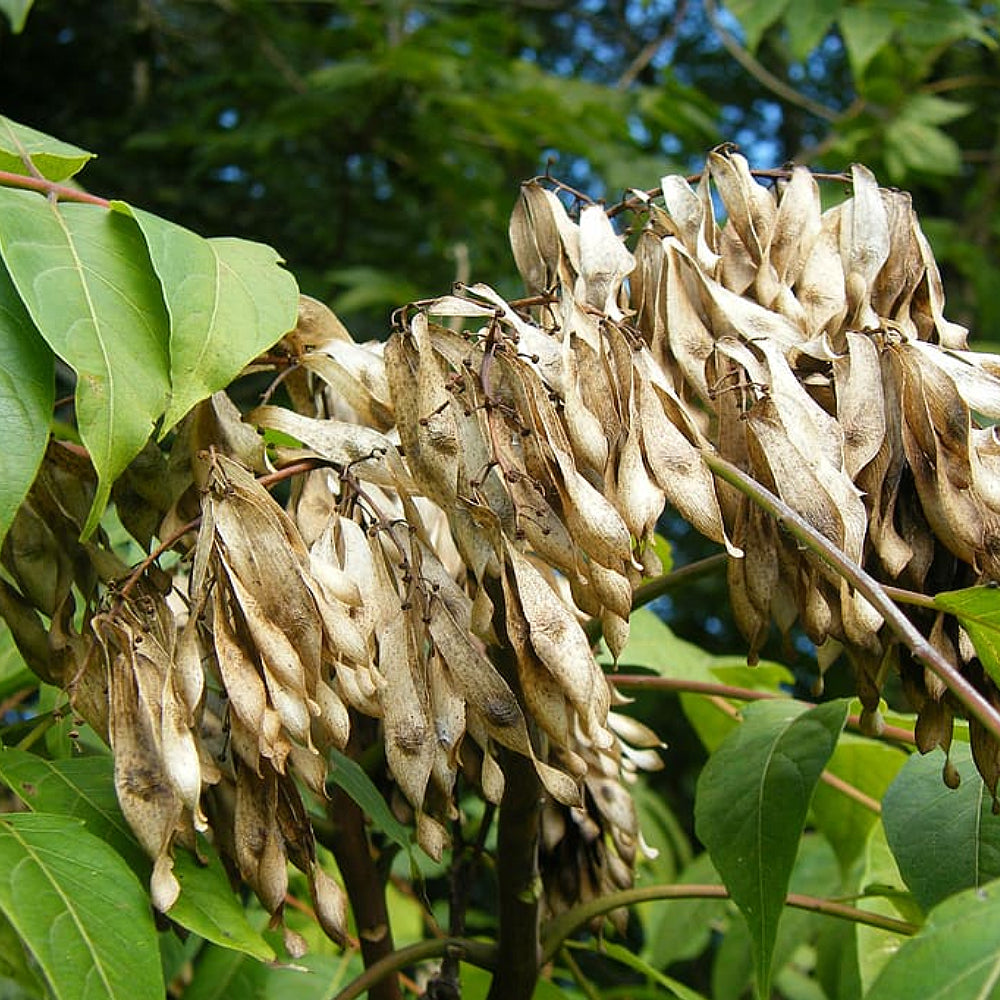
(84, 274)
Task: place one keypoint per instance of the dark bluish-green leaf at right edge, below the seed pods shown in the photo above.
(944, 839)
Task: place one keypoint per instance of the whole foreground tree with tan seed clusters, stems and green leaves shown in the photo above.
(388, 666)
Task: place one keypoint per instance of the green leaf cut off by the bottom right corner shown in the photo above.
(955, 956)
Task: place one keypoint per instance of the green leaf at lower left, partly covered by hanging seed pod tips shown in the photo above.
(83, 787)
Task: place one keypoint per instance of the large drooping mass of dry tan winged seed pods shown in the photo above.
(492, 476)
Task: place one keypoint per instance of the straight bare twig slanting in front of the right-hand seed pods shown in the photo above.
(868, 586)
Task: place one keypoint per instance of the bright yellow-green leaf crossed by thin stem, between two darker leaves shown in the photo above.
(868, 765)
